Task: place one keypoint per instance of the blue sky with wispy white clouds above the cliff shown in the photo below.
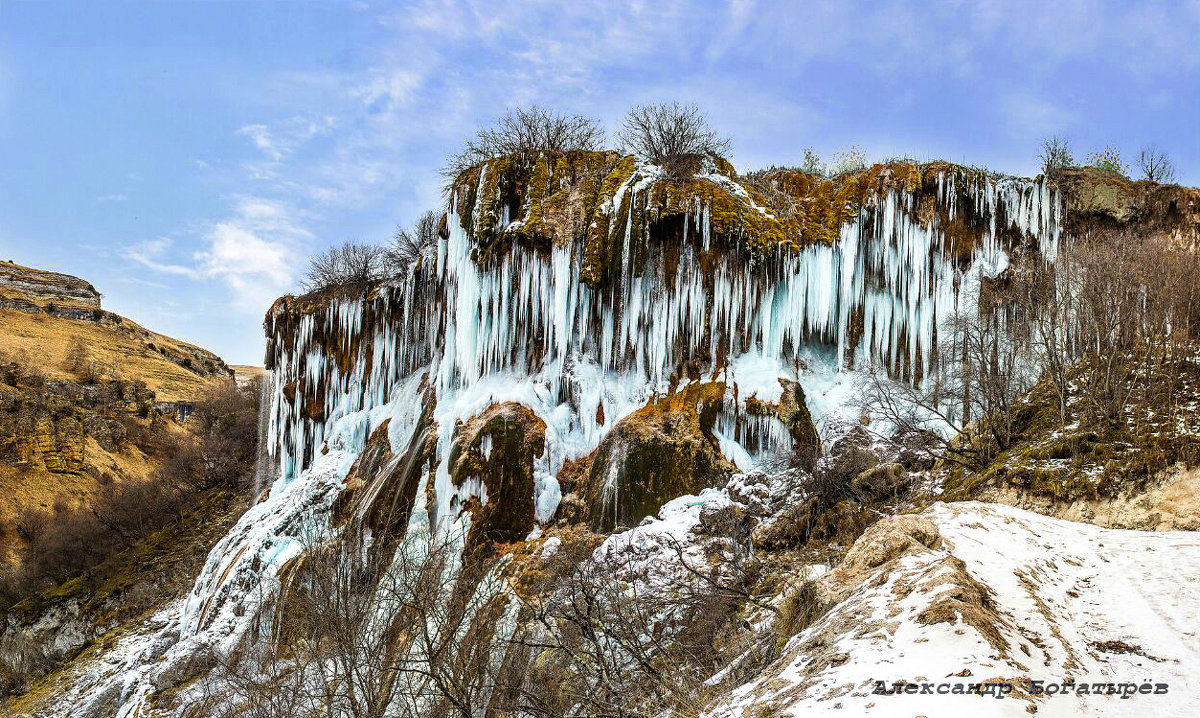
(188, 157)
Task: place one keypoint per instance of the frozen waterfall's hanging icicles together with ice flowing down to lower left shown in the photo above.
(526, 330)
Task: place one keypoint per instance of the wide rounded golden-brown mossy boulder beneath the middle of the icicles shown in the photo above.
(661, 452)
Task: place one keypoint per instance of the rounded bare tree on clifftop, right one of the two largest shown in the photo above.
(676, 137)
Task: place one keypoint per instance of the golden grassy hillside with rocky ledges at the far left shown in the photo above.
(80, 387)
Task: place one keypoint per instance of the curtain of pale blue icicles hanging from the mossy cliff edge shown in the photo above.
(529, 319)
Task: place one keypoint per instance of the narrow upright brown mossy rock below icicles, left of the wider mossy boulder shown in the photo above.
(499, 447)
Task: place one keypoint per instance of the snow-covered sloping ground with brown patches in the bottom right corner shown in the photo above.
(1030, 599)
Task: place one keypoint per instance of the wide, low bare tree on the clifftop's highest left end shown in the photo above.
(526, 133)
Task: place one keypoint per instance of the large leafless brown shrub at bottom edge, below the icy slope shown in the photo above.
(358, 635)
